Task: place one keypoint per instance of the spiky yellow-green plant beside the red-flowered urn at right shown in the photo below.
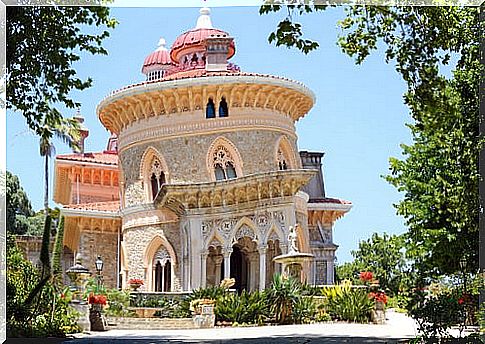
(349, 304)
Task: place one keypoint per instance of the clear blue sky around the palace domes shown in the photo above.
(358, 119)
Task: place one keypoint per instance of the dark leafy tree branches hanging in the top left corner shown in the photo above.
(42, 44)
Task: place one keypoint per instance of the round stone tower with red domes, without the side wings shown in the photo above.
(210, 171)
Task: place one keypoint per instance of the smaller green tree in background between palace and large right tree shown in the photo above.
(384, 255)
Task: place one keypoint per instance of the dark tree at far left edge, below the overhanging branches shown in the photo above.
(18, 206)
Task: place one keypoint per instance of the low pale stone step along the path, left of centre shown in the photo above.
(150, 323)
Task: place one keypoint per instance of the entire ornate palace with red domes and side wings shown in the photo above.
(201, 177)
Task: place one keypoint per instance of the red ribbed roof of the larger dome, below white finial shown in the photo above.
(196, 37)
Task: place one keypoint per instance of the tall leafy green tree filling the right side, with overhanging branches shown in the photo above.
(439, 176)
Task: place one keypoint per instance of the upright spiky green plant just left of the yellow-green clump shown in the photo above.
(283, 295)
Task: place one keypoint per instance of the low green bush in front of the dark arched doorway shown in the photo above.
(246, 308)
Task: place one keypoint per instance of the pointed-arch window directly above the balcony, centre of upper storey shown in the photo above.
(229, 166)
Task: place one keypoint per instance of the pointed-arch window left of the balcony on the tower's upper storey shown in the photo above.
(153, 172)
